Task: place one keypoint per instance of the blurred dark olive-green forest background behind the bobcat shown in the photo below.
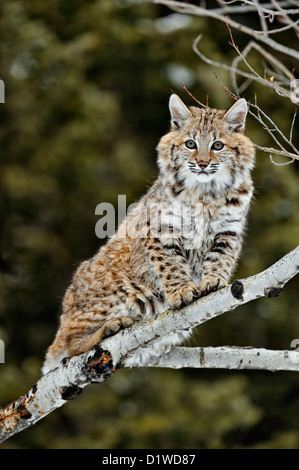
(86, 100)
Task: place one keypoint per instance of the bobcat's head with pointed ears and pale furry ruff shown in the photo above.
(206, 146)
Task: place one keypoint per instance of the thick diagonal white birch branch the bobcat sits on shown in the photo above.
(68, 380)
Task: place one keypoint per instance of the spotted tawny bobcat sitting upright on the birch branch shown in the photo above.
(182, 240)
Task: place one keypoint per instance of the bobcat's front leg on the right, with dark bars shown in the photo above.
(219, 262)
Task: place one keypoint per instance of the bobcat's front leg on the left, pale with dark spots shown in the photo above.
(174, 272)
